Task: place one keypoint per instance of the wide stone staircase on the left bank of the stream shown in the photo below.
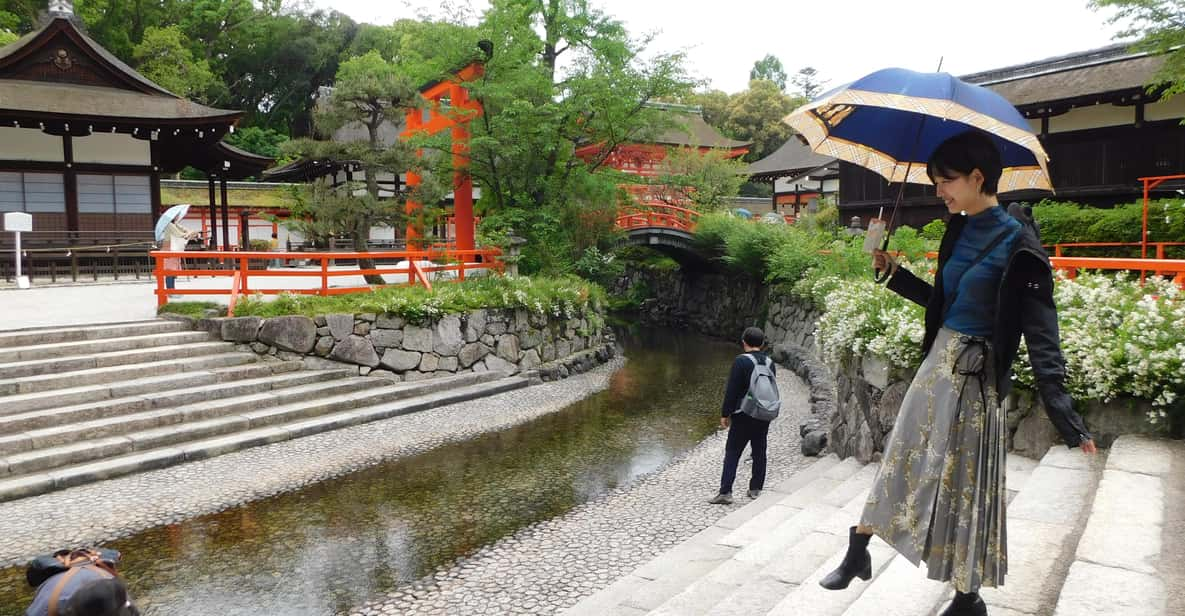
(92, 403)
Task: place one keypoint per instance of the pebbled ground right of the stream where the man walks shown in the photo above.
(550, 567)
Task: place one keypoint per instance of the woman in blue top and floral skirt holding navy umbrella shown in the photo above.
(939, 495)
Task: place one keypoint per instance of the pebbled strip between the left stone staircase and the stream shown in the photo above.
(124, 506)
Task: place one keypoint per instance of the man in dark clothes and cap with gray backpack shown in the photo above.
(751, 403)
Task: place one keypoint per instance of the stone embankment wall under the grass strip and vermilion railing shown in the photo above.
(390, 346)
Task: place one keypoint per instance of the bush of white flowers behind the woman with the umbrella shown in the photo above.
(1119, 338)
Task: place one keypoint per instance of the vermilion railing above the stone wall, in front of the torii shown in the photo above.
(240, 272)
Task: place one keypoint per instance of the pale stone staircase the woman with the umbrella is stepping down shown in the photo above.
(1085, 538)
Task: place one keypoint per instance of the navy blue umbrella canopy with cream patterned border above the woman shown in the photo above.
(894, 119)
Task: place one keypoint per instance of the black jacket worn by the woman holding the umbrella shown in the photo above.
(1024, 305)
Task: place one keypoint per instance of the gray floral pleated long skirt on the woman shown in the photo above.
(939, 497)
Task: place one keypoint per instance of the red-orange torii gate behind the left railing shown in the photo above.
(460, 112)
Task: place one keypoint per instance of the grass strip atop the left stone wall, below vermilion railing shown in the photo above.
(567, 297)
